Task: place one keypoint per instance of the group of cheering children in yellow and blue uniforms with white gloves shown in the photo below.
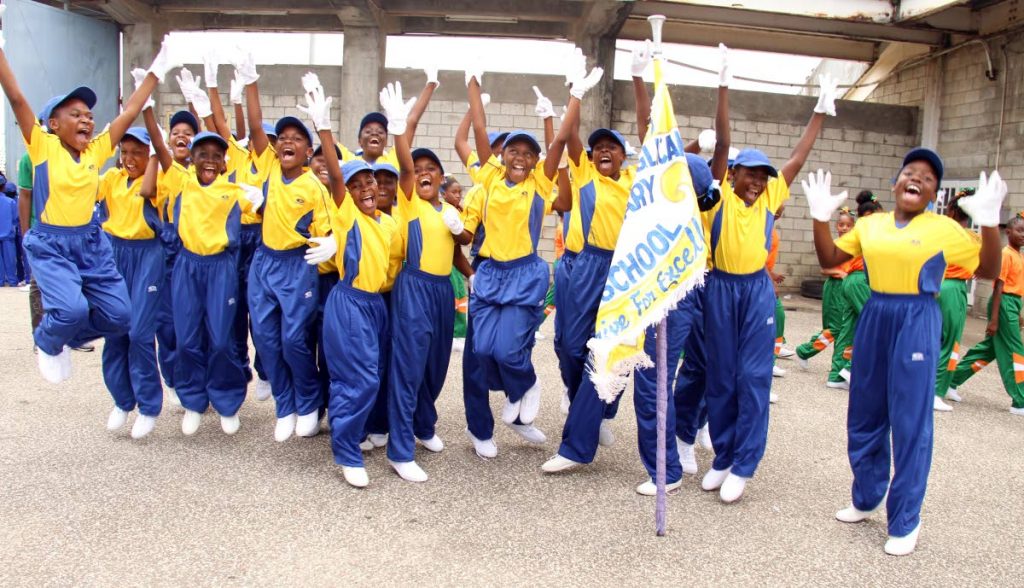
(340, 265)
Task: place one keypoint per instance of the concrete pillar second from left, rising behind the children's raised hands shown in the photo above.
(361, 78)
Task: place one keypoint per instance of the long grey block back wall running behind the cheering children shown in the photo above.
(862, 147)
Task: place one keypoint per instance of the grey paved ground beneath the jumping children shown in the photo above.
(80, 506)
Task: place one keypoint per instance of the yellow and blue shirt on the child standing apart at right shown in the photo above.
(913, 259)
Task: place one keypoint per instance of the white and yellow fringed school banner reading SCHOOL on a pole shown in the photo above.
(660, 257)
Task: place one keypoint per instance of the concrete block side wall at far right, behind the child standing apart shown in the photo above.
(969, 123)
